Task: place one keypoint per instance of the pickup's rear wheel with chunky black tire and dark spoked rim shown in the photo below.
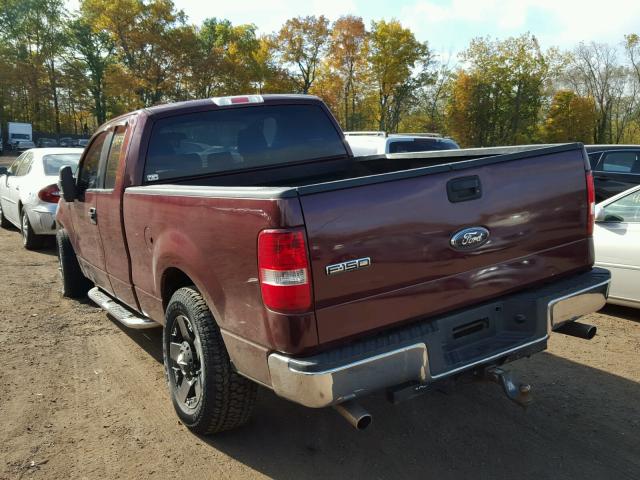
(226, 399)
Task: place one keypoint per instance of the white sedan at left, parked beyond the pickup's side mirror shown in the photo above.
(29, 192)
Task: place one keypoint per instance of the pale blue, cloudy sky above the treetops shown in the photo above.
(448, 25)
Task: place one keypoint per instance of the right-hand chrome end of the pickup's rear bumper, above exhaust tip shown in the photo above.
(576, 304)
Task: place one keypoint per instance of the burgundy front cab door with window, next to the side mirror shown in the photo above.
(87, 241)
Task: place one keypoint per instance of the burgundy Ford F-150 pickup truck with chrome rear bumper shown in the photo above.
(271, 256)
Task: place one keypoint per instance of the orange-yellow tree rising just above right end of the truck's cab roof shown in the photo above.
(302, 42)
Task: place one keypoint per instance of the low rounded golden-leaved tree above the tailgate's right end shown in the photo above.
(571, 118)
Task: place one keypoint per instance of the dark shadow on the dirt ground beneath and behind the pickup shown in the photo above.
(584, 424)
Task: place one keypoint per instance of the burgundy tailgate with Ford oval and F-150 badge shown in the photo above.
(534, 207)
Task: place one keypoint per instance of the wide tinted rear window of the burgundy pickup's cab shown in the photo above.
(225, 140)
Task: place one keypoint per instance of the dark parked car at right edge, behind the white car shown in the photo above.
(616, 168)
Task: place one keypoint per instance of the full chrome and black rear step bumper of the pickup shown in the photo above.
(425, 351)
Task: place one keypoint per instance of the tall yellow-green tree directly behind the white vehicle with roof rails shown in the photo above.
(394, 56)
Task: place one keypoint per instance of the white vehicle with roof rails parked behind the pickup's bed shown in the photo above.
(377, 143)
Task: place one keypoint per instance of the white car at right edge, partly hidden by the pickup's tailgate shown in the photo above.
(617, 242)
